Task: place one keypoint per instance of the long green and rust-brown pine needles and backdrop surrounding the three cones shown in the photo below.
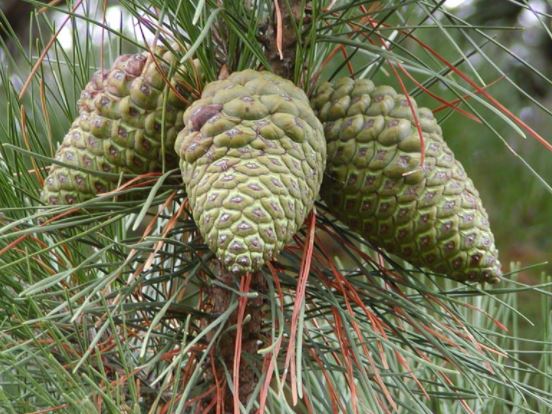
(103, 312)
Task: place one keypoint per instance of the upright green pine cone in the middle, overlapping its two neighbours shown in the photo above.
(252, 159)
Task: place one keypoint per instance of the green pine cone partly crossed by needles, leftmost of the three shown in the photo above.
(119, 128)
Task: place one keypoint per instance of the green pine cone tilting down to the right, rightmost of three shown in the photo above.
(431, 216)
